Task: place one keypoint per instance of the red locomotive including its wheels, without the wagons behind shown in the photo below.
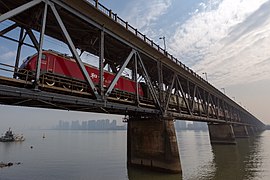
(58, 69)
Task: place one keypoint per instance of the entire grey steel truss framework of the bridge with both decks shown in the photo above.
(174, 89)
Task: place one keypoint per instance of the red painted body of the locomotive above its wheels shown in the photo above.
(65, 67)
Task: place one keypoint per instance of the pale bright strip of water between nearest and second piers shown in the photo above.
(196, 155)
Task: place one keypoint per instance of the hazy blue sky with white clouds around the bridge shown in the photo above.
(227, 39)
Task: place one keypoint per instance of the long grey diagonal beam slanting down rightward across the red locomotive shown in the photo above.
(74, 52)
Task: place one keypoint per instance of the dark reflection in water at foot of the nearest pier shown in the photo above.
(142, 174)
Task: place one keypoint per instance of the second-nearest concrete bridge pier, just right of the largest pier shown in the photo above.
(221, 134)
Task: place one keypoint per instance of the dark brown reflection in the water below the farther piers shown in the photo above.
(241, 161)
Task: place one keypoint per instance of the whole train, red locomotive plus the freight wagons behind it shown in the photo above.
(60, 70)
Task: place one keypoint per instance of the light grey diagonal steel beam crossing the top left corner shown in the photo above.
(18, 10)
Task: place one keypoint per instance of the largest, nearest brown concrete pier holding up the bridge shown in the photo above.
(153, 144)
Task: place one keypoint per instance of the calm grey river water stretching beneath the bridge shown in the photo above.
(94, 155)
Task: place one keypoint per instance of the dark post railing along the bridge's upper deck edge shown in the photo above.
(130, 28)
